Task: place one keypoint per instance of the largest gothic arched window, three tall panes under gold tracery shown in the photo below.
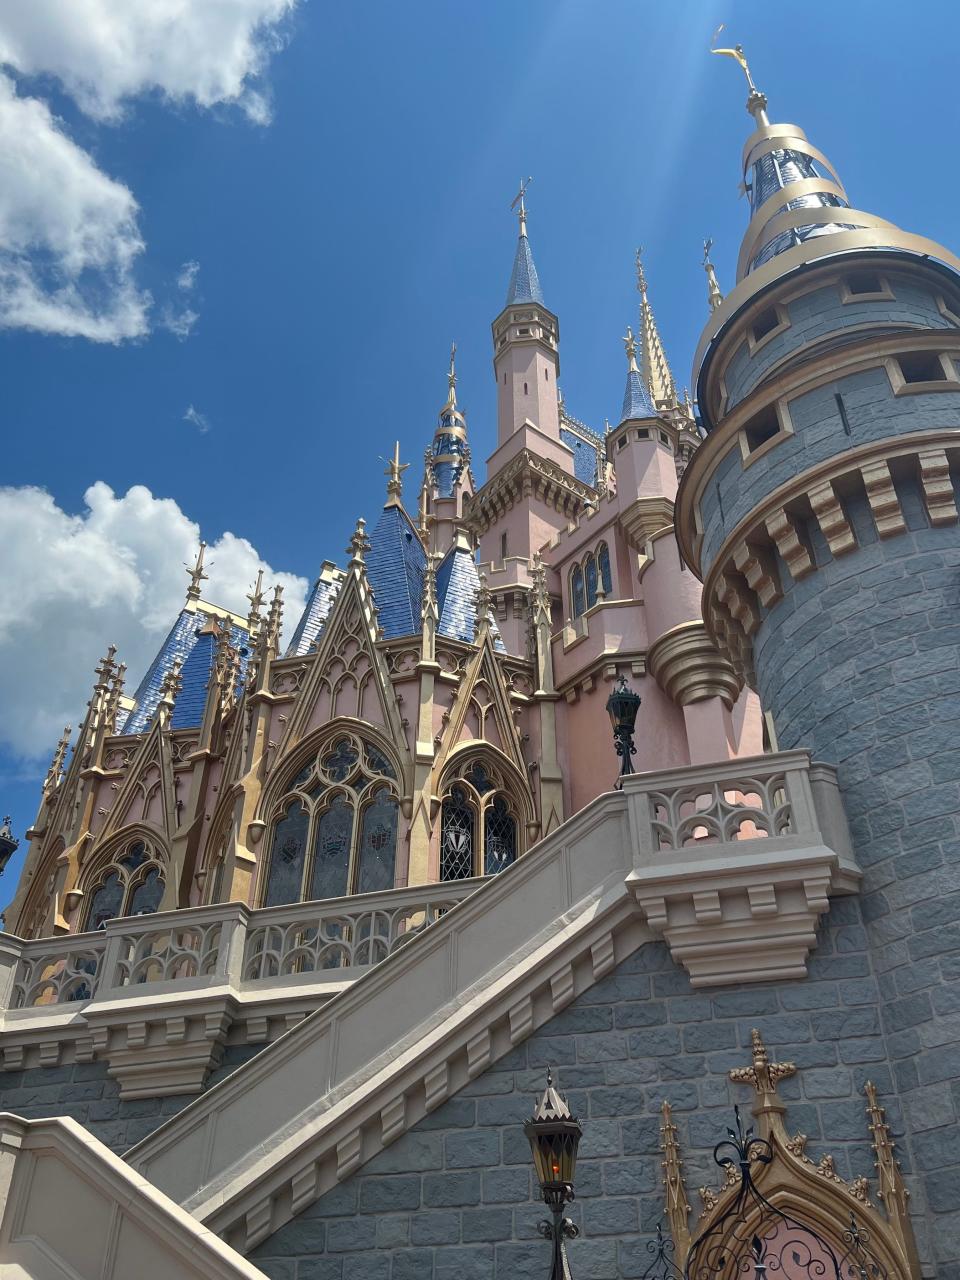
(336, 829)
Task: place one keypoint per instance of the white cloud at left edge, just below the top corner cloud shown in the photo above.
(68, 234)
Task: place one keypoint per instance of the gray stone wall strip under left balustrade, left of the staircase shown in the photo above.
(85, 1092)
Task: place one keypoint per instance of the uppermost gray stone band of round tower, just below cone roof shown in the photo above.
(822, 312)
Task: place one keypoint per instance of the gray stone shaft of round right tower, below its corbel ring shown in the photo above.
(861, 662)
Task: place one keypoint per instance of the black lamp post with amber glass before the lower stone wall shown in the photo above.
(555, 1137)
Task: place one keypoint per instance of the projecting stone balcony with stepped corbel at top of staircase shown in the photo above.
(735, 874)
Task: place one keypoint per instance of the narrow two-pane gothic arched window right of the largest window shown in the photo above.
(479, 828)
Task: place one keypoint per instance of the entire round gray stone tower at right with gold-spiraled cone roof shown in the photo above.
(821, 514)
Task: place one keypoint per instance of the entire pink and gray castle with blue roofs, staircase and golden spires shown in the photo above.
(300, 930)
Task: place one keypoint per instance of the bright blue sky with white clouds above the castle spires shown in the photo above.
(344, 243)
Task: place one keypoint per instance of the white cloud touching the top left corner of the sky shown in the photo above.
(108, 52)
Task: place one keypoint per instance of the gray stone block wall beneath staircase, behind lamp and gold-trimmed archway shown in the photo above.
(456, 1200)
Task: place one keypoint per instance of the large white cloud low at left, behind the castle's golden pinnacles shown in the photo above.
(111, 575)
